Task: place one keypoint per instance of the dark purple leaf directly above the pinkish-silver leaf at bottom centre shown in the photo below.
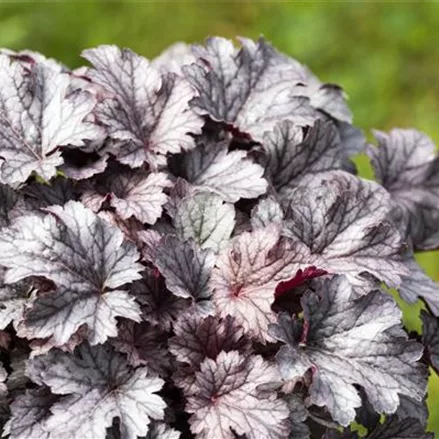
(198, 338)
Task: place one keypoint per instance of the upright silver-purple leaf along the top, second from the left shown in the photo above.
(149, 113)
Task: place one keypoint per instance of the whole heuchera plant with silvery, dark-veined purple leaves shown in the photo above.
(187, 251)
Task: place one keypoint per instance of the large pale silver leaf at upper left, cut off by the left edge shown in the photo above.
(37, 117)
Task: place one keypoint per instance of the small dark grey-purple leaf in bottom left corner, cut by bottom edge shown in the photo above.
(29, 413)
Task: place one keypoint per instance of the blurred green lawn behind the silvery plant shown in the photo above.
(385, 55)
